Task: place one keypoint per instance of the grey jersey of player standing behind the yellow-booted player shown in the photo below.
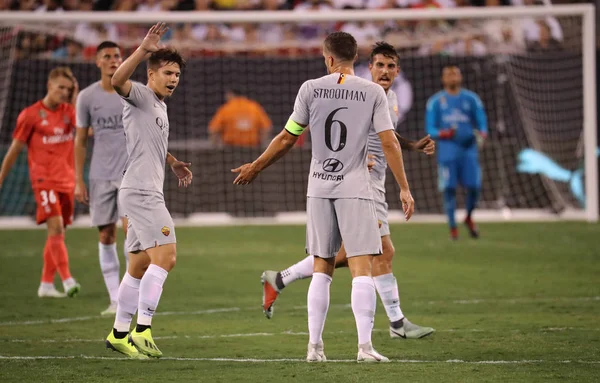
(103, 111)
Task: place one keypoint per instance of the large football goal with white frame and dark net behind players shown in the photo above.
(533, 67)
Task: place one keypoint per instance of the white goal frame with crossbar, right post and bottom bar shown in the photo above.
(584, 12)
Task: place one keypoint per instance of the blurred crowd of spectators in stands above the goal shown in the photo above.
(449, 37)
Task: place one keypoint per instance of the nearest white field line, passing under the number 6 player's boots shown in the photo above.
(288, 360)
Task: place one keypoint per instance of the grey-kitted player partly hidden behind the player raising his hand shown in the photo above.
(100, 107)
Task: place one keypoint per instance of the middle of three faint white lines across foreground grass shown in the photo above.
(283, 333)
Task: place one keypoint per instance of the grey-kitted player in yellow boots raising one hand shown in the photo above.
(150, 234)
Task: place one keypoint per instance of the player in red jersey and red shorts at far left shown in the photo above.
(47, 129)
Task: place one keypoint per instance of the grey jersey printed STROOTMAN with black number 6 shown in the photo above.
(340, 110)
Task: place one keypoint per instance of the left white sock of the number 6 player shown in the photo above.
(318, 304)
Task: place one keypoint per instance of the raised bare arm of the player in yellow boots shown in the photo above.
(120, 80)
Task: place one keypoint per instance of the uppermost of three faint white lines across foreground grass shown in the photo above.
(303, 307)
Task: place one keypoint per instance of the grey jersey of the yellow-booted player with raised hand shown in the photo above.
(147, 133)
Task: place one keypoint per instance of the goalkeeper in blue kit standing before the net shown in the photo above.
(456, 119)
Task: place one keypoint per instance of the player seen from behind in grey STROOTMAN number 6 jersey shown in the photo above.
(341, 109)
